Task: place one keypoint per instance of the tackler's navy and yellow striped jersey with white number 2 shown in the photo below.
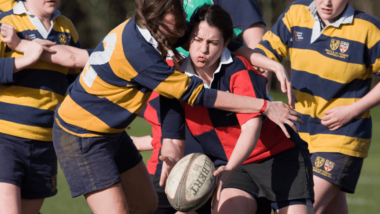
(118, 80)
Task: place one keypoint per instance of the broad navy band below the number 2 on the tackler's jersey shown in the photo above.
(110, 113)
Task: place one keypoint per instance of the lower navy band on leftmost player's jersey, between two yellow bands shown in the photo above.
(26, 115)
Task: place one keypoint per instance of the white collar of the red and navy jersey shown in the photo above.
(225, 59)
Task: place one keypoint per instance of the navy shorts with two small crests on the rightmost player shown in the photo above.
(339, 169)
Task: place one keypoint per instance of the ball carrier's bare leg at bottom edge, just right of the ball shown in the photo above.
(235, 201)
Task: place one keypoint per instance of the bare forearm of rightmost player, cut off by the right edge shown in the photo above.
(367, 102)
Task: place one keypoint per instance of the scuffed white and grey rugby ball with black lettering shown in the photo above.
(191, 182)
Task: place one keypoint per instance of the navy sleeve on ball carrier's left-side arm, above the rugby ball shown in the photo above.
(172, 119)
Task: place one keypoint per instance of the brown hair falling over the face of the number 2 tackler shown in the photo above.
(150, 13)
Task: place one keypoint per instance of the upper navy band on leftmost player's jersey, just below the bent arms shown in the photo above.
(41, 79)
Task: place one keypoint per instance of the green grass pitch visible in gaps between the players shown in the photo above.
(365, 200)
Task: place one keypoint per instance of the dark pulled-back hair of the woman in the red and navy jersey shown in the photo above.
(215, 16)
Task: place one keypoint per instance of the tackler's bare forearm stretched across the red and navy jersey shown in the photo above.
(236, 103)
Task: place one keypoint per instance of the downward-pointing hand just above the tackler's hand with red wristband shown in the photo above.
(286, 86)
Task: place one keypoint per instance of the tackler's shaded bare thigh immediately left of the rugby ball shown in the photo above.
(138, 190)
